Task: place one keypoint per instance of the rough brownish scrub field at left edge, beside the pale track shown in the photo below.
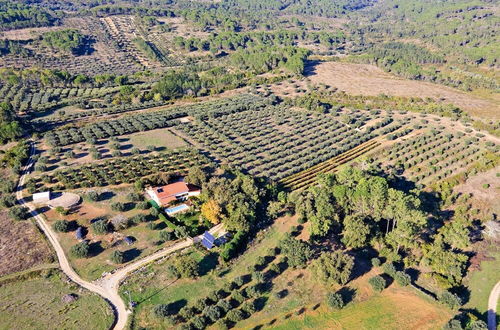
(21, 245)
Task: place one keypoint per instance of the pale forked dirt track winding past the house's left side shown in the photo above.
(106, 287)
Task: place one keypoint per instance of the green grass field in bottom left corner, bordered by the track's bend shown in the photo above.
(36, 304)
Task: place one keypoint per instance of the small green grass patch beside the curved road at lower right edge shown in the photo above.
(481, 282)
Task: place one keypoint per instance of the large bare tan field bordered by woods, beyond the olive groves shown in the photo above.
(364, 79)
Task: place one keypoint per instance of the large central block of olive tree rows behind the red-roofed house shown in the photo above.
(277, 141)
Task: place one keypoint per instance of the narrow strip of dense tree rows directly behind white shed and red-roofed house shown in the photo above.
(122, 170)
